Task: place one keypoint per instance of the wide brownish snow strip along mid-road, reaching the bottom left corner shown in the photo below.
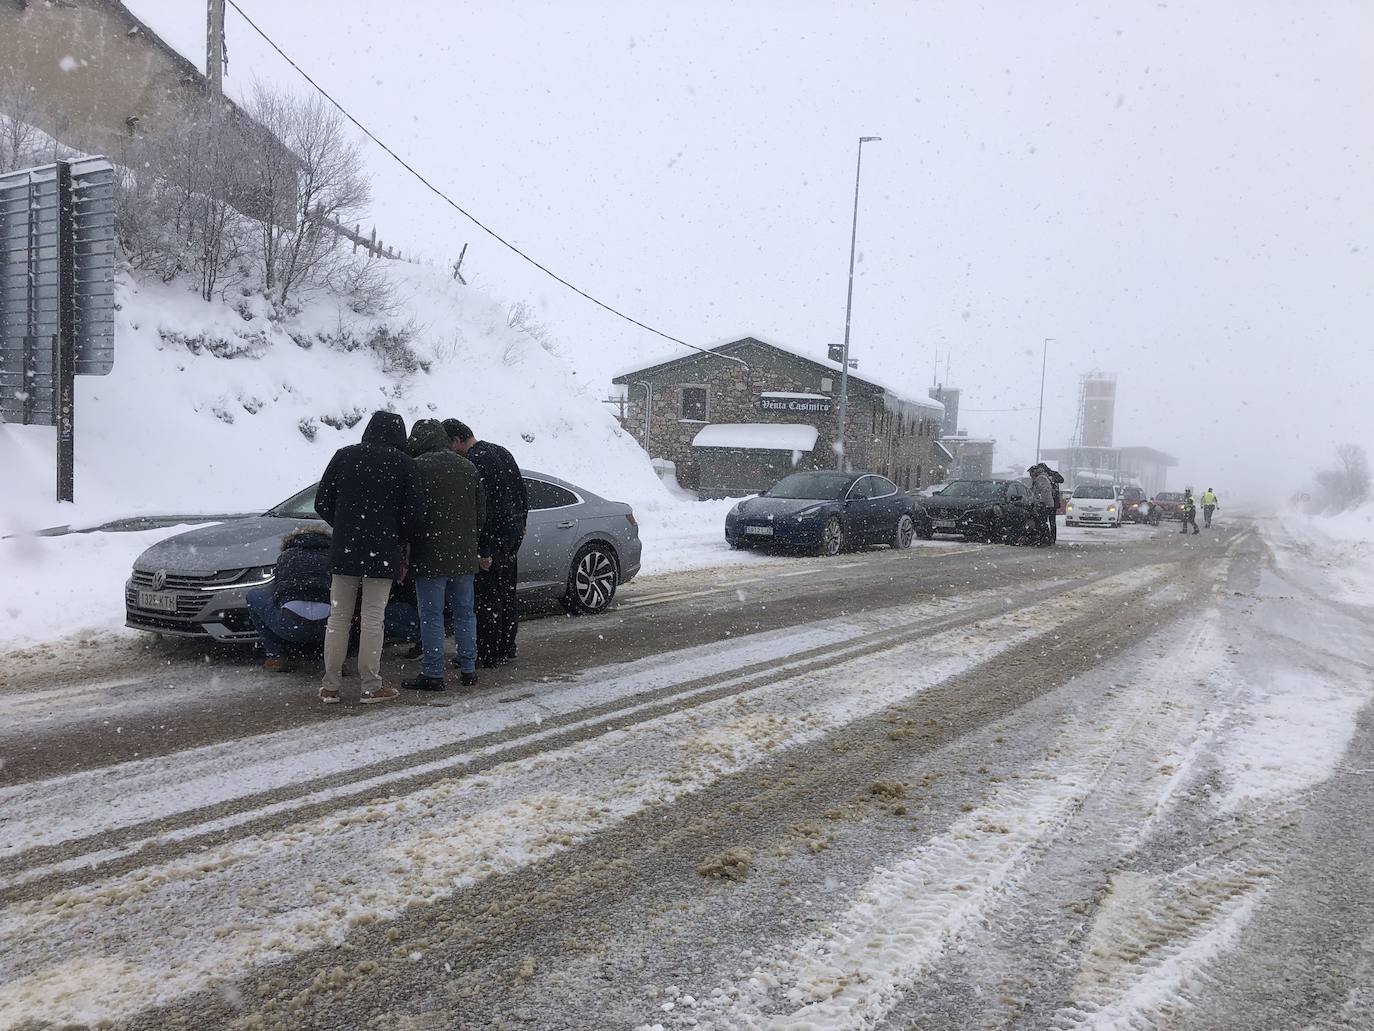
(148, 937)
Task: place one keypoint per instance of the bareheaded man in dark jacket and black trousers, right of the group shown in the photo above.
(508, 509)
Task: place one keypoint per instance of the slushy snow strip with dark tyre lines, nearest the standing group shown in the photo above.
(135, 798)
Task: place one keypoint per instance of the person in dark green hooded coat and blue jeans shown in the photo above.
(444, 553)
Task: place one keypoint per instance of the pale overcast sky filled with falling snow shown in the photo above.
(1178, 193)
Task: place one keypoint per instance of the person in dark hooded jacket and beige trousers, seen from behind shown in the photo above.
(372, 497)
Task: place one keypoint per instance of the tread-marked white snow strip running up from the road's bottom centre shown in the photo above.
(908, 913)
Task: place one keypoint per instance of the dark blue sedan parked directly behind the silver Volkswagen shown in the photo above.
(825, 513)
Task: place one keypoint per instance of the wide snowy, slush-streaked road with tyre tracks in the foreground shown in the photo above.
(1120, 786)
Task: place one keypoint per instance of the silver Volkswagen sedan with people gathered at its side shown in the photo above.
(578, 551)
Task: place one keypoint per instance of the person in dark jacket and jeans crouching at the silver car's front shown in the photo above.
(295, 608)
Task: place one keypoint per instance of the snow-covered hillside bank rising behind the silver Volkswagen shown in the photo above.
(221, 409)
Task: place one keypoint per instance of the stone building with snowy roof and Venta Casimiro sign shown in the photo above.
(740, 417)
